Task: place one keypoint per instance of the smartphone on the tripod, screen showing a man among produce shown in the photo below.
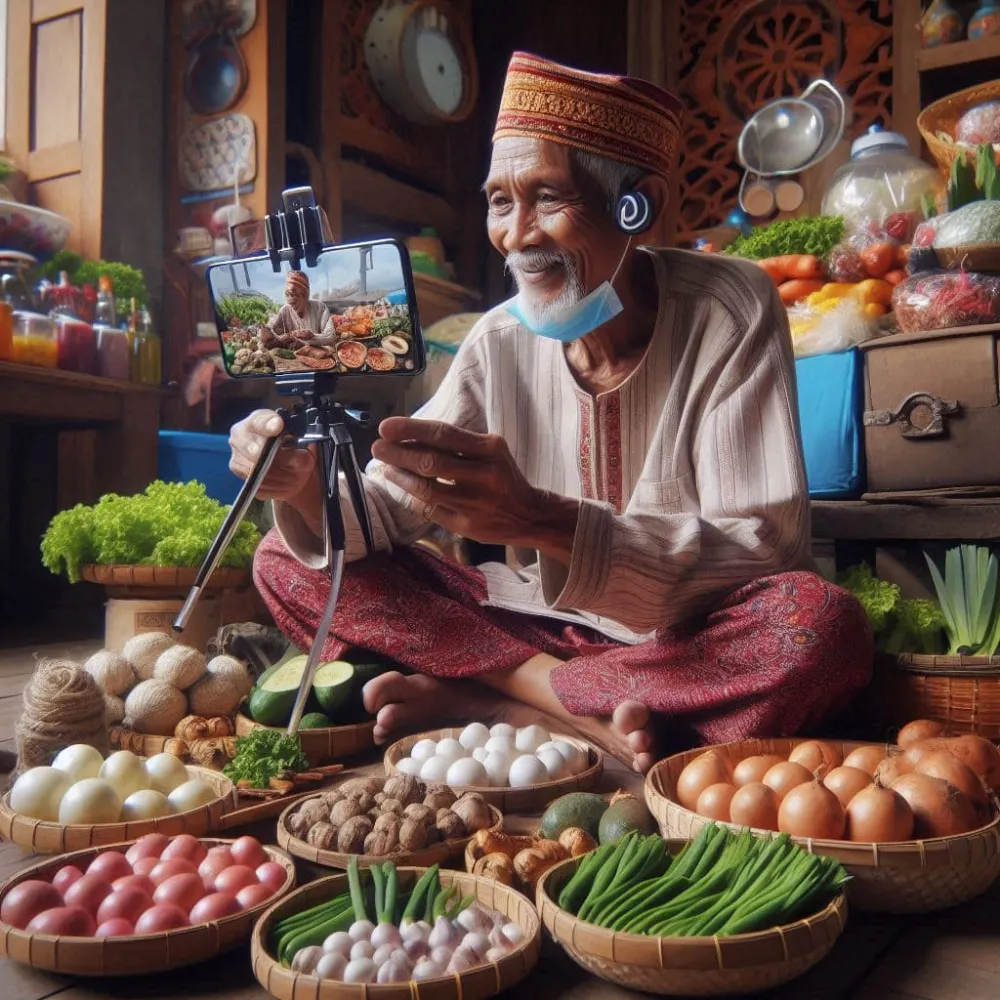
(353, 313)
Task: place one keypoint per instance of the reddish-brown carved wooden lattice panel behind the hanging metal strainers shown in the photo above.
(736, 55)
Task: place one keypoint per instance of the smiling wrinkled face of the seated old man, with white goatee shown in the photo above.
(553, 227)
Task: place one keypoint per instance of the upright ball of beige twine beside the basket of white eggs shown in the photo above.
(62, 705)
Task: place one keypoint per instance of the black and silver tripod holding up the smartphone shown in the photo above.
(315, 419)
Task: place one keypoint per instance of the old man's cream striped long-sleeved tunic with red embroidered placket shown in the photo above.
(689, 473)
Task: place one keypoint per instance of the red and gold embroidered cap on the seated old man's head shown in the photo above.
(619, 117)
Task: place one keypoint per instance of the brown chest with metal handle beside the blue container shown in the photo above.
(932, 420)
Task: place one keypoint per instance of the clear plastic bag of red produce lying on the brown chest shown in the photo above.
(939, 300)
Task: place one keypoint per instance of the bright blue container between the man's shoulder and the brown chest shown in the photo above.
(831, 404)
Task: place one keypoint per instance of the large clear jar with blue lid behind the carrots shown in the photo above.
(882, 180)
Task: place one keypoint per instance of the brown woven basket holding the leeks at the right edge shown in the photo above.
(960, 692)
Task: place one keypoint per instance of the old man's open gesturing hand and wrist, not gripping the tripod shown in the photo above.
(470, 484)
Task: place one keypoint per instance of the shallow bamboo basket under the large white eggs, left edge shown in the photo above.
(42, 837)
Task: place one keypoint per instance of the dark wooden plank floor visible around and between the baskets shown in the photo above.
(949, 956)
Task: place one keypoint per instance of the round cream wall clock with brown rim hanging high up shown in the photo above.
(421, 59)
